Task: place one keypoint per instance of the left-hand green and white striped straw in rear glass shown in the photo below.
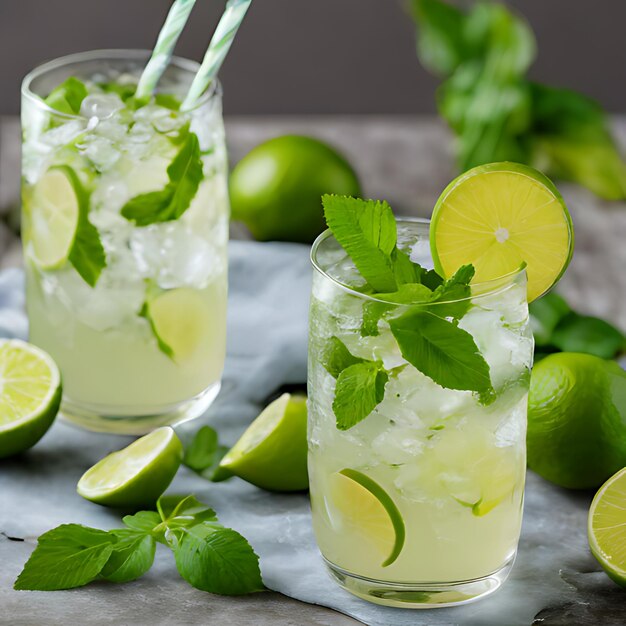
(164, 48)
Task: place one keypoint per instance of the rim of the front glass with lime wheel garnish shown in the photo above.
(485, 288)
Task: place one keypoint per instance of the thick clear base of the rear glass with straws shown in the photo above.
(125, 421)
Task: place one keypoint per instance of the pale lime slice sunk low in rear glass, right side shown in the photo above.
(180, 319)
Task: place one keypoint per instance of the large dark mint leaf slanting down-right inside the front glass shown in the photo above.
(444, 352)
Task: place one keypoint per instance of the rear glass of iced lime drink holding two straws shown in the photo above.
(125, 229)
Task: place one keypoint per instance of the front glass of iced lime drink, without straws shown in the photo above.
(420, 503)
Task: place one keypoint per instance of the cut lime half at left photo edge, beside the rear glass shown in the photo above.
(30, 395)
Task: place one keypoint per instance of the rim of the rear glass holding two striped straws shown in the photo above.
(182, 63)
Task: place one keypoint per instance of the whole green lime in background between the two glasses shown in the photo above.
(276, 189)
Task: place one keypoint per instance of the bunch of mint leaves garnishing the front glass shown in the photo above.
(421, 308)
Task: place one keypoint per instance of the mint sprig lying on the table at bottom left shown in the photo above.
(209, 556)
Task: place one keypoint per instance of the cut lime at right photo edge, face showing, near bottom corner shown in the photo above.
(606, 527)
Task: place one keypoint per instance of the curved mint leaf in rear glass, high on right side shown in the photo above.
(185, 174)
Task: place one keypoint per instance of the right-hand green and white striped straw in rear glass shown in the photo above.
(218, 49)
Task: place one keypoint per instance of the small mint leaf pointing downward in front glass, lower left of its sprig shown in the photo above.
(360, 389)
